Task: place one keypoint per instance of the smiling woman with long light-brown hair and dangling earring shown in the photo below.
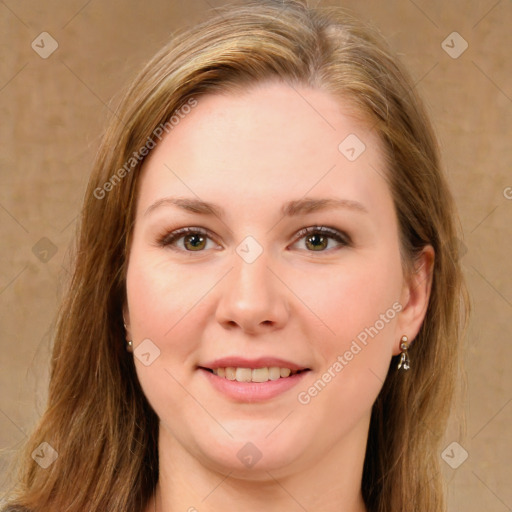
(266, 306)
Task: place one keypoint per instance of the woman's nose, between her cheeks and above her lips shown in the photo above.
(252, 298)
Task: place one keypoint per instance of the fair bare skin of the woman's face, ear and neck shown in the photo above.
(250, 153)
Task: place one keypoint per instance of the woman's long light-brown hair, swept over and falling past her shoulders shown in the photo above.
(97, 418)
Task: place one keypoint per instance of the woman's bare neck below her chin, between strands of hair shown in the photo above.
(331, 482)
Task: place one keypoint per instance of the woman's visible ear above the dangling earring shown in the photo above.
(415, 297)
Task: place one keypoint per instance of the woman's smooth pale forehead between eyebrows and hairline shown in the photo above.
(273, 142)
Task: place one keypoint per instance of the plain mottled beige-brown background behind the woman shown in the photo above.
(53, 111)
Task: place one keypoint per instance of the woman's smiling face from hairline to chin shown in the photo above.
(290, 261)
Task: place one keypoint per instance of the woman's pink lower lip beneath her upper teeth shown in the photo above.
(253, 391)
